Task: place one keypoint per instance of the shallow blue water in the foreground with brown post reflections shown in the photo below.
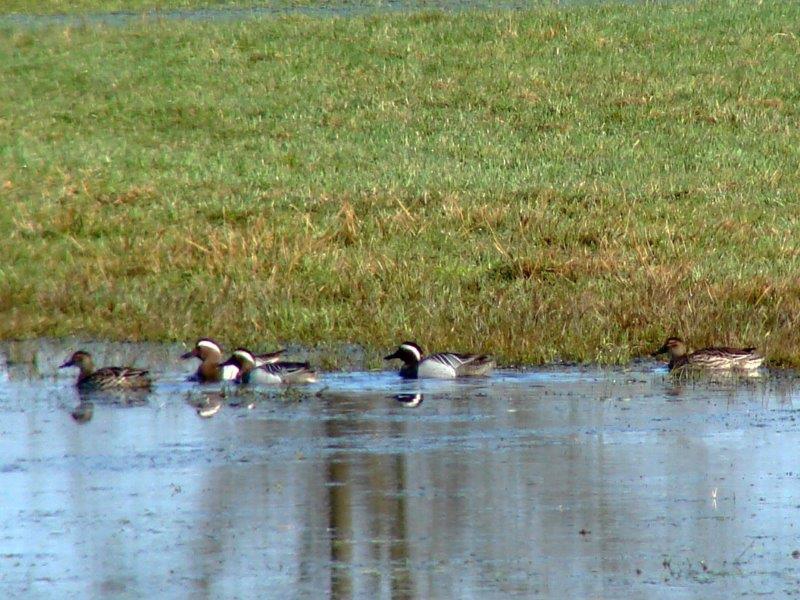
(554, 483)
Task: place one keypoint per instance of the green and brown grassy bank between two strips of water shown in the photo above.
(573, 183)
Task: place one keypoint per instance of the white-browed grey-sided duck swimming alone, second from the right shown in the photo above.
(443, 365)
